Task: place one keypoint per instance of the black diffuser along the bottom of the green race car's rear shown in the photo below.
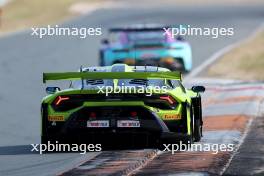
(122, 140)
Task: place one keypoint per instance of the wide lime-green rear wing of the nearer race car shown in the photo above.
(111, 75)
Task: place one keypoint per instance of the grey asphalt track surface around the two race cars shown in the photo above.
(24, 58)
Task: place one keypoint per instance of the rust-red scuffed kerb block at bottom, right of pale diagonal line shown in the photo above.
(192, 163)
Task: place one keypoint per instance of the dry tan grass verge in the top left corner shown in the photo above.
(21, 14)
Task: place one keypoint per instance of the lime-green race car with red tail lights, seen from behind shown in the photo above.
(132, 105)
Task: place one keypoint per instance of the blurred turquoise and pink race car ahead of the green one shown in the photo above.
(146, 45)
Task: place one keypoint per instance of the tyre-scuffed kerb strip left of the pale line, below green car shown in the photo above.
(114, 163)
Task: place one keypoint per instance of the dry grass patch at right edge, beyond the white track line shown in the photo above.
(245, 62)
